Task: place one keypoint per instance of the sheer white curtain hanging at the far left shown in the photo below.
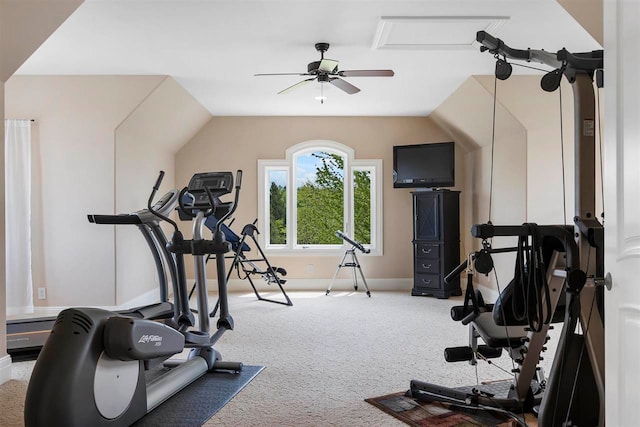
(17, 153)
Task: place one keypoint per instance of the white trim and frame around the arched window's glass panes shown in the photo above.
(288, 164)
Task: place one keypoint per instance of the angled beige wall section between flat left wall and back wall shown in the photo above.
(145, 143)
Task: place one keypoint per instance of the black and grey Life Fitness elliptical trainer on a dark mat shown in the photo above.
(100, 368)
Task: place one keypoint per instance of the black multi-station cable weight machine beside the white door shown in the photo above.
(553, 262)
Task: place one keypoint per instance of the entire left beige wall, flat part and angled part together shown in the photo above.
(98, 145)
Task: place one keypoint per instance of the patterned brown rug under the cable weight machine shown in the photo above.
(421, 414)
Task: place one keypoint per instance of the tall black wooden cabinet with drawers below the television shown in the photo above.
(436, 242)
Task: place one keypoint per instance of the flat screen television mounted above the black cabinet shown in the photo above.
(424, 165)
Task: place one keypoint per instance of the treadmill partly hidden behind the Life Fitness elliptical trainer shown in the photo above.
(25, 337)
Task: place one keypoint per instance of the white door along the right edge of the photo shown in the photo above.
(622, 210)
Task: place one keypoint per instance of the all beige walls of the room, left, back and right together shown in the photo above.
(139, 124)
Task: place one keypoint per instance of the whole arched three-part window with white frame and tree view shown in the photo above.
(318, 189)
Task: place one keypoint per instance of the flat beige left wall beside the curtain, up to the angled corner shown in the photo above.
(74, 156)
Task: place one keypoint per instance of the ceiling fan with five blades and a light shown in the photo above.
(326, 71)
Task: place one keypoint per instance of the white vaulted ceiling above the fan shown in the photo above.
(213, 48)
